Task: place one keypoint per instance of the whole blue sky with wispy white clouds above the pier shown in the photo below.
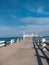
(30, 16)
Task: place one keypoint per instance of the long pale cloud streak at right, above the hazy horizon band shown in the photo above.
(41, 20)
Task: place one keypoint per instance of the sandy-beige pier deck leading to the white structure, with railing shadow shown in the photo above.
(23, 53)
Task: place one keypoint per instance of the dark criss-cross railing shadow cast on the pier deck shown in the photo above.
(39, 56)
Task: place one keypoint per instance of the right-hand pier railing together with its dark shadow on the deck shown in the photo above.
(40, 51)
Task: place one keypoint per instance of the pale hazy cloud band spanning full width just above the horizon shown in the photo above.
(15, 31)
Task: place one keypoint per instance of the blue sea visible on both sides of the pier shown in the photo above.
(7, 39)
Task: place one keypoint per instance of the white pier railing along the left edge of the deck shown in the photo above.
(10, 42)
